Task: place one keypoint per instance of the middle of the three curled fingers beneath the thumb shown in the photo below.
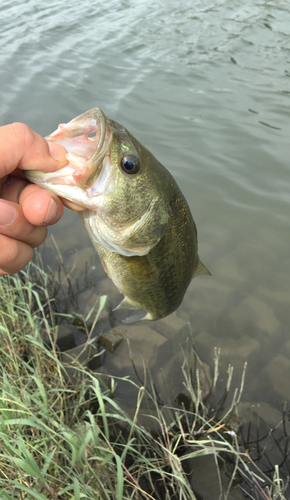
(14, 224)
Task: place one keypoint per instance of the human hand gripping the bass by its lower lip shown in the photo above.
(25, 209)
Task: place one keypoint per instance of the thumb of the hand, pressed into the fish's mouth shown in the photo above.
(21, 147)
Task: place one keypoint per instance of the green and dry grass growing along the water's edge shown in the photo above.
(60, 441)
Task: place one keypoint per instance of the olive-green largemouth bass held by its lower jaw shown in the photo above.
(135, 214)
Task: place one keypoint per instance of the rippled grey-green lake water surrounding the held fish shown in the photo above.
(206, 88)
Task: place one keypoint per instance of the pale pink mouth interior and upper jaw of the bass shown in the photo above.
(87, 139)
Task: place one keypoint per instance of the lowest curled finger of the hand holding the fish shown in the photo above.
(14, 255)
